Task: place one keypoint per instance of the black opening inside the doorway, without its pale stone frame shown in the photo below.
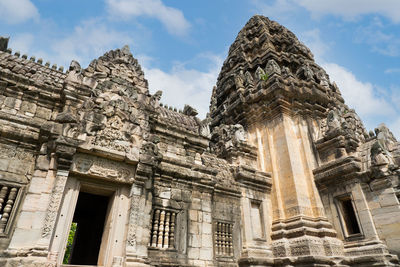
(89, 218)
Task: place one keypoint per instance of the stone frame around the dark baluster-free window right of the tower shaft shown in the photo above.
(338, 200)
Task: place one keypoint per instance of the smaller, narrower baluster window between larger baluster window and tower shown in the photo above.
(223, 239)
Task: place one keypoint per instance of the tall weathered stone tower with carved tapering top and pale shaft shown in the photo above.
(305, 136)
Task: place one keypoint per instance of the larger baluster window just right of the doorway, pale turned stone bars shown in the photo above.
(163, 229)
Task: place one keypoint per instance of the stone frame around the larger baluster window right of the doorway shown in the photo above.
(176, 227)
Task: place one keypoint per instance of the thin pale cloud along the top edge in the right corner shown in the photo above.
(354, 8)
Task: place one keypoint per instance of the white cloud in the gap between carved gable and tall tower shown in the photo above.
(183, 85)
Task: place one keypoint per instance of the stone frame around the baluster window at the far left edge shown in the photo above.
(11, 222)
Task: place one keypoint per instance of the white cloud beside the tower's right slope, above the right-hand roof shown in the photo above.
(359, 95)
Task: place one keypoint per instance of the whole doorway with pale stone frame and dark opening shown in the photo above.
(100, 207)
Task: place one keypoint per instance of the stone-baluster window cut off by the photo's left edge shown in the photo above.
(8, 199)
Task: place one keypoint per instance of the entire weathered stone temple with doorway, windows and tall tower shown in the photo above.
(94, 170)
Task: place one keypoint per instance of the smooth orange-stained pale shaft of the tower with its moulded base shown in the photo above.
(299, 226)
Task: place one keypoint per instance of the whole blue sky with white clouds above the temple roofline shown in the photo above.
(181, 44)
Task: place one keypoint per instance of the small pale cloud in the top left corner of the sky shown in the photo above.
(17, 11)
